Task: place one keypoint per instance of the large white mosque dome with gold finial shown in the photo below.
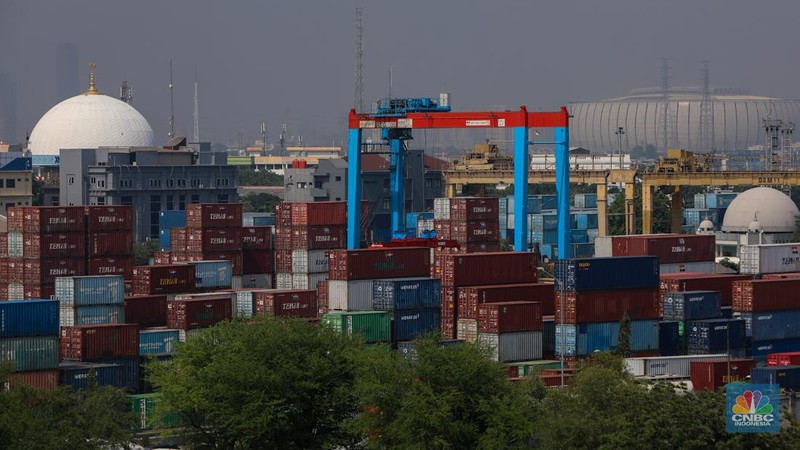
(90, 120)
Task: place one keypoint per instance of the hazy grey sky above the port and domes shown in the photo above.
(294, 60)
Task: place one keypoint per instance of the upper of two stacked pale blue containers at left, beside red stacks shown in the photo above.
(90, 290)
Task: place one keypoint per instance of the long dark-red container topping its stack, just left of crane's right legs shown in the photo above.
(478, 269)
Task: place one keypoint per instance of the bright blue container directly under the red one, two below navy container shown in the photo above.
(586, 338)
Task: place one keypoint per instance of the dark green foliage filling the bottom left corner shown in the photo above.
(33, 418)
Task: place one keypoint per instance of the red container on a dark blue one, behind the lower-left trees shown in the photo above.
(110, 350)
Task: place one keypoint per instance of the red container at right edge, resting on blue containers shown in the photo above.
(766, 295)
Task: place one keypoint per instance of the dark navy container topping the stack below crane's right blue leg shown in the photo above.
(619, 272)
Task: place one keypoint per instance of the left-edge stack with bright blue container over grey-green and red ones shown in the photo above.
(29, 332)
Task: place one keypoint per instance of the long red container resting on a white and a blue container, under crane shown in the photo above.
(368, 264)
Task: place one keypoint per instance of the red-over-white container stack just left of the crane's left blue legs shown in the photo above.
(304, 233)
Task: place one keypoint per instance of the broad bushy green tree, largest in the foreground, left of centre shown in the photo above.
(265, 384)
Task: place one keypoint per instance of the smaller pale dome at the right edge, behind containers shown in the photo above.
(761, 208)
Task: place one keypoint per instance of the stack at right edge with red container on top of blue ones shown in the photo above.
(771, 310)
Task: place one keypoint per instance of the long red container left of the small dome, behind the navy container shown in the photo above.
(670, 248)
